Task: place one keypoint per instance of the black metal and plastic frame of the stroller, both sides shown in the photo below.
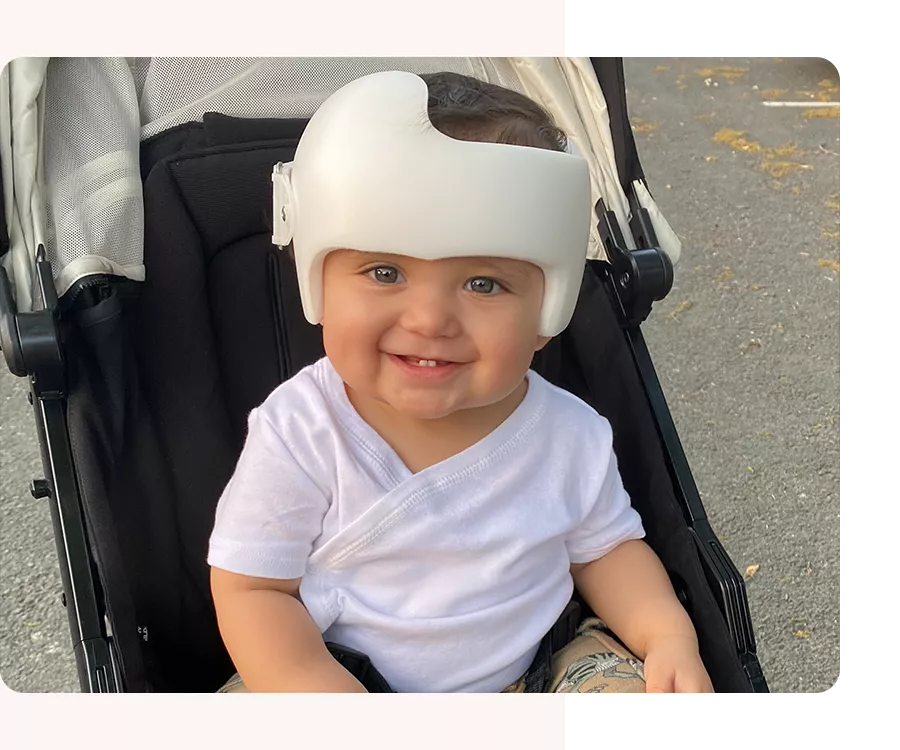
(634, 279)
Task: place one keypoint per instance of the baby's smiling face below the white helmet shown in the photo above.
(429, 338)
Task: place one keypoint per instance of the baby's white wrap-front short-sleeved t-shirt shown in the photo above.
(449, 578)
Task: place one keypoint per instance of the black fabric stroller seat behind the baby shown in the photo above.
(217, 325)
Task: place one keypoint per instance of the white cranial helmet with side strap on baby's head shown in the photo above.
(372, 174)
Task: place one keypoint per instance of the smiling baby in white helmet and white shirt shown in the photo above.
(420, 495)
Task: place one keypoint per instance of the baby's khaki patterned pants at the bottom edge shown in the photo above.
(593, 663)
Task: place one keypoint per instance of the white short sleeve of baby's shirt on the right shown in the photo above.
(610, 521)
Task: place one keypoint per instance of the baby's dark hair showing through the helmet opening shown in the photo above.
(469, 109)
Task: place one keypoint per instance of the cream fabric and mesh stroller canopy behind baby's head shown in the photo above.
(72, 130)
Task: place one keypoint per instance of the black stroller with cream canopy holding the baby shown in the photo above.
(141, 295)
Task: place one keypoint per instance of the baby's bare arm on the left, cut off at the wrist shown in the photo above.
(271, 638)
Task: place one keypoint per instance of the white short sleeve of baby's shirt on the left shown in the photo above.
(271, 511)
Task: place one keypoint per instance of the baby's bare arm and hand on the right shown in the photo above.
(629, 590)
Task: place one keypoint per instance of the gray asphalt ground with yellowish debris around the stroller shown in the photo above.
(746, 346)
